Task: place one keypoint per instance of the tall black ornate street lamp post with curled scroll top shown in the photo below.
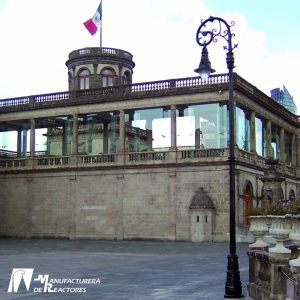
(205, 35)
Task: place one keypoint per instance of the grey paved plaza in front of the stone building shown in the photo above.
(126, 269)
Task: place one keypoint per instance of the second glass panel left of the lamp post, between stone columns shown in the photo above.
(147, 130)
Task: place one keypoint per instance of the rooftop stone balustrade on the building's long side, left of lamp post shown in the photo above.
(105, 94)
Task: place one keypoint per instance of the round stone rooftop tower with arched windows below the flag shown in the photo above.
(92, 68)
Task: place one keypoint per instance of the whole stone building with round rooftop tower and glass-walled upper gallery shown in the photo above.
(109, 159)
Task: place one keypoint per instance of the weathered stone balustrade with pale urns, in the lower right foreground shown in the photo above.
(274, 270)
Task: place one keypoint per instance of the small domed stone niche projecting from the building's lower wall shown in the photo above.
(201, 213)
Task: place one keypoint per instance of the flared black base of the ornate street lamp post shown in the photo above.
(233, 286)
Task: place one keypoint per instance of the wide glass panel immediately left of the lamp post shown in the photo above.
(202, 126)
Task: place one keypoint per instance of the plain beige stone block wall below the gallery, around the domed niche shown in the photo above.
(138, 203)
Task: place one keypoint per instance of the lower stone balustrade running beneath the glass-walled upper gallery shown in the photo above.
(10, 161)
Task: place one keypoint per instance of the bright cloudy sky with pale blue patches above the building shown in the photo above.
(38, 35)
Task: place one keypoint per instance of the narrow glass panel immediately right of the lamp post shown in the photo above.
(242, 129)
